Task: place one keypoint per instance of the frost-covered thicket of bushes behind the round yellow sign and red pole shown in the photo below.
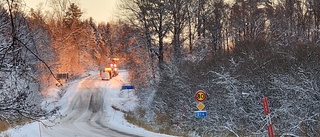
(236, 83)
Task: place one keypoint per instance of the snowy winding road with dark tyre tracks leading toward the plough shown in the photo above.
(86, 115)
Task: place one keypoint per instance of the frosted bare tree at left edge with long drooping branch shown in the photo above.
(20, 89)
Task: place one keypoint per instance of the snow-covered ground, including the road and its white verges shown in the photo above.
(88, 108)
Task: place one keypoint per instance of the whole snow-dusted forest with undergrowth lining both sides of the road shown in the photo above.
(236, 52)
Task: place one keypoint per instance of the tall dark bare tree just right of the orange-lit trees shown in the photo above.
(152, 16)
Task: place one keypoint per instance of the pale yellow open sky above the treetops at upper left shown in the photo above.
(99, 10)
